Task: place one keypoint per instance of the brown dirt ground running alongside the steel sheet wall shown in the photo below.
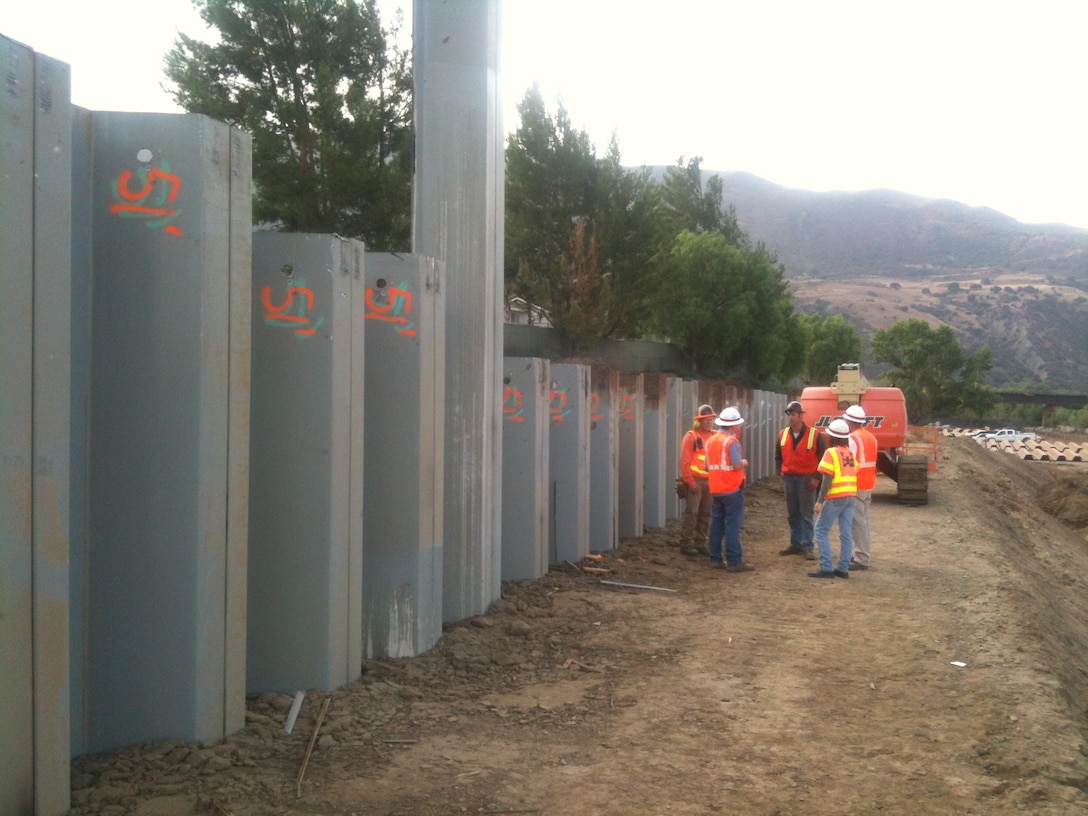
(951, 678)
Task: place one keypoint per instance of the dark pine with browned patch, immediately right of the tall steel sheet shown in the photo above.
(562, 201)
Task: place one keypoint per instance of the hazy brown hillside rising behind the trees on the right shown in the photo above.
(881, 256)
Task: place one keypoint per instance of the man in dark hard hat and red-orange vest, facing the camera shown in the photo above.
(797, 456)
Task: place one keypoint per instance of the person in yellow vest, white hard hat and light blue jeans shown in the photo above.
(835, 501)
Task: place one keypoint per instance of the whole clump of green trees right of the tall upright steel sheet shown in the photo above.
(609, 253)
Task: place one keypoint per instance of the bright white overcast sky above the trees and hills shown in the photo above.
(982, 102)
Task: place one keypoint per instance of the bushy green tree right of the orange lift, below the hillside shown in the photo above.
(936, 376)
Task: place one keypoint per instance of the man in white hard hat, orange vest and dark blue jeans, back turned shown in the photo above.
(726, 465)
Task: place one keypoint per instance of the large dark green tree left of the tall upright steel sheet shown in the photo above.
(327, 96)
